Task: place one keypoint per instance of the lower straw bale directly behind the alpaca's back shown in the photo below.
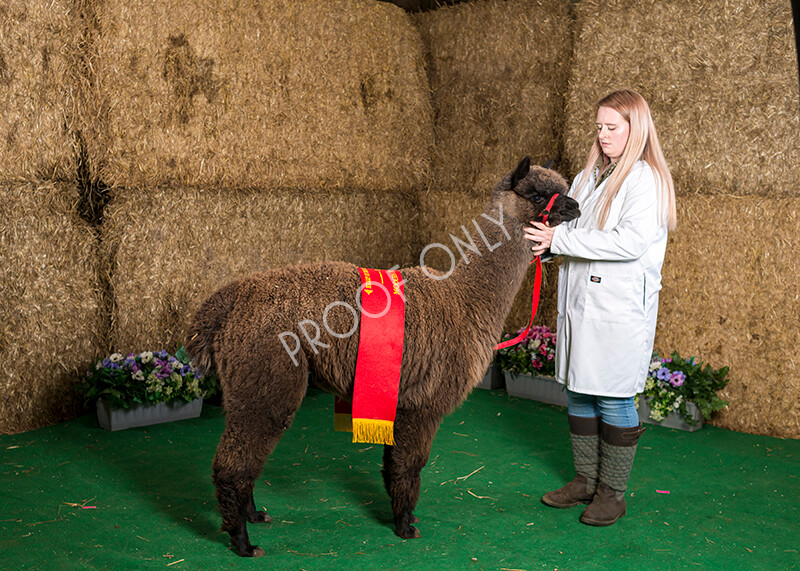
(168, 255)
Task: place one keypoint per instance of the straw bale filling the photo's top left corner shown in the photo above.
(37, 81)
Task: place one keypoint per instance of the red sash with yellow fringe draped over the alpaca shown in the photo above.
(380, 354)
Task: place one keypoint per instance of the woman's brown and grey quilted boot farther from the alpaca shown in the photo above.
(617, 451)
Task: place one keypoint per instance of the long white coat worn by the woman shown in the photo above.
(608, 288)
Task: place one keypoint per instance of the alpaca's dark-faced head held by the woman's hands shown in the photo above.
(528, 191)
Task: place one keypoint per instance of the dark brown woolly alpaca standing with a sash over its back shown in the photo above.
(452, 326)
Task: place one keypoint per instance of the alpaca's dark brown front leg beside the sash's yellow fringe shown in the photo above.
(413, 438)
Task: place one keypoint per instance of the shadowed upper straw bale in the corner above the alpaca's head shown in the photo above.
(498, 71)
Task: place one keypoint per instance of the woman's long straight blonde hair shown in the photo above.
(642, 145)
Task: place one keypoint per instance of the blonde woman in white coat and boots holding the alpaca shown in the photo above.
(608, 290)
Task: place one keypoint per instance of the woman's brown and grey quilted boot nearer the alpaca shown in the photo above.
(585, 436)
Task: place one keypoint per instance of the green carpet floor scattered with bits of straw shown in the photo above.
(74, 496)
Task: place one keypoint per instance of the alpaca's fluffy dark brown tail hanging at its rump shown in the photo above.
(207, 322)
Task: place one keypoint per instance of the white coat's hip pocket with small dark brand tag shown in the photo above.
(614, 297)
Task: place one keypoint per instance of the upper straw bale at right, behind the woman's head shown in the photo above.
(721, 80)
